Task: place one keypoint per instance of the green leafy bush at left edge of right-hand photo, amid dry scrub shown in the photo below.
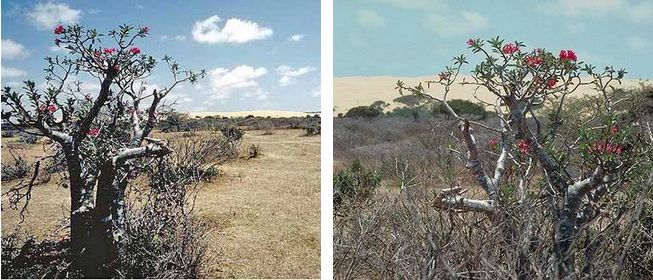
(354, 185)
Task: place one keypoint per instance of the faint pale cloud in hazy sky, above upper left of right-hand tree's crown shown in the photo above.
(467, 21)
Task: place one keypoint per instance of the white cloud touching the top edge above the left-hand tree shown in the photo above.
(48, 15)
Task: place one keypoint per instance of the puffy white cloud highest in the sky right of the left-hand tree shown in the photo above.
(235, 31)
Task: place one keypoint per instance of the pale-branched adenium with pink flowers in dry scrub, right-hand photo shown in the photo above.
(572, 171)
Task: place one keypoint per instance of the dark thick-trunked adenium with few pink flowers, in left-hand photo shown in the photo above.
(104, 136)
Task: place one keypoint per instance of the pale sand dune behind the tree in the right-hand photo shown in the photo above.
(357, 90)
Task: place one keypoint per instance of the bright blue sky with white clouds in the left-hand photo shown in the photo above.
(258, 54)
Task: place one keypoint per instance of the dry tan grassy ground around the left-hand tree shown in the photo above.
(264, 212)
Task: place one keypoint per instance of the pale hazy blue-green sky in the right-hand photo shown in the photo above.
(419, 37)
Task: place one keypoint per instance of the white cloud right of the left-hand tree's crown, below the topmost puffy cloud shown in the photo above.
(244, 78)
